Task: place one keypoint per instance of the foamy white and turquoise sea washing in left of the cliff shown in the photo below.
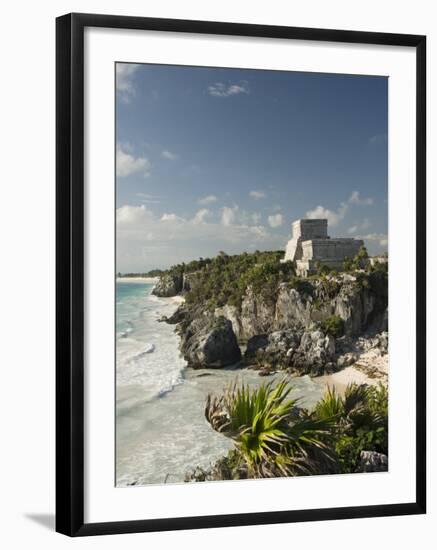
(161, 431)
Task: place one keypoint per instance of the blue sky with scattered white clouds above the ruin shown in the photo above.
(213, 159)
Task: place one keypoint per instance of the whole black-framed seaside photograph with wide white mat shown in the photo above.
(240, 274)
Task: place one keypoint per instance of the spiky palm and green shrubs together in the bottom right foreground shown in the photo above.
(274, 437)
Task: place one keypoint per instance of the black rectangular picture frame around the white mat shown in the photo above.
(70, 273)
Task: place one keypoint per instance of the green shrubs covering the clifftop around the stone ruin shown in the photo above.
(224, 279)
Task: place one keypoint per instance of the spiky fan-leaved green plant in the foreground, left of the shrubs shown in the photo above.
(273, 435)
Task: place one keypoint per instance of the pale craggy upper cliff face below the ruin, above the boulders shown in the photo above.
(362, 306)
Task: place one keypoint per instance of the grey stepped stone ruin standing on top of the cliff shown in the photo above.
(311, 246)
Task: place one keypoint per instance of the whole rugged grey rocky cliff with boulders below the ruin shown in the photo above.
(305, 326)
